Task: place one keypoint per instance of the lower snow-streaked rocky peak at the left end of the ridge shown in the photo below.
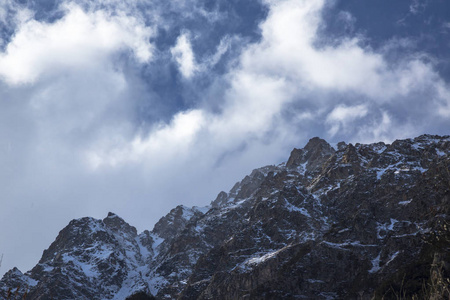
(91, 259)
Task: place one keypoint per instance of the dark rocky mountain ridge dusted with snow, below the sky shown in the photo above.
(363, 221)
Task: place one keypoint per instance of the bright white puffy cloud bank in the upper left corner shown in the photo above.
(80, 40)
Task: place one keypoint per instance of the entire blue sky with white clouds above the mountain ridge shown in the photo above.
(135, 108)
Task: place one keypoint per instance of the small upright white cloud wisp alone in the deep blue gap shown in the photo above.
(184, 56)
